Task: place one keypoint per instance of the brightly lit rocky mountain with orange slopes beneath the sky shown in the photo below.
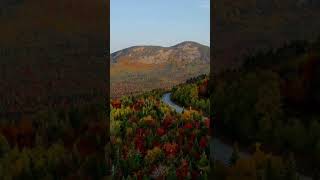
(141, 68)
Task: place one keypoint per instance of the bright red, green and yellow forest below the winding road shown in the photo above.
(150, 141)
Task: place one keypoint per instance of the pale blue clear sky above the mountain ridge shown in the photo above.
(158, 22)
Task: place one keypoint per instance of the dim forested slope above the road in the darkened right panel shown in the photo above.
(273, 99)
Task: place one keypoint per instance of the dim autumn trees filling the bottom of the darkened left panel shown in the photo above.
(66, 143)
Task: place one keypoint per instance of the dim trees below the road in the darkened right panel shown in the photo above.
(259, 166)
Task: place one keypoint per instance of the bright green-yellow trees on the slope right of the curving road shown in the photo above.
(194, 93)
